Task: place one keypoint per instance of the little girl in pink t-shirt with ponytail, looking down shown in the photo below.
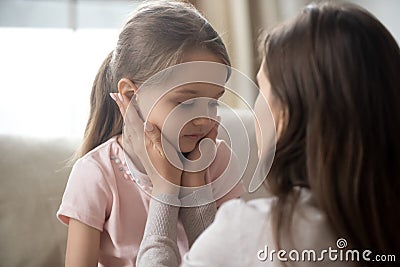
(103, 206)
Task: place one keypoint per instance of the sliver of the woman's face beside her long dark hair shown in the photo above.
(261, 107)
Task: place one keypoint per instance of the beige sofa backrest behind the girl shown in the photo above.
(33, 175)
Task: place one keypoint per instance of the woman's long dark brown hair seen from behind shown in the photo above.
(335, 70)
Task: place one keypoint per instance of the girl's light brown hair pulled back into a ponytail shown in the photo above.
(154, 38)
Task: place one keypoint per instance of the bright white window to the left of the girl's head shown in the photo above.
(50, 52)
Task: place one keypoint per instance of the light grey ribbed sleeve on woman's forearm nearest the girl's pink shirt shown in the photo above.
(159, 246)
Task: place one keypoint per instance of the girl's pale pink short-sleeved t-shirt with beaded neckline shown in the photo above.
(102, 194)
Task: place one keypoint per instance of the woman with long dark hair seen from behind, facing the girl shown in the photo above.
(331, 77)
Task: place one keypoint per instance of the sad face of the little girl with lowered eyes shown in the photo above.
(183, 108)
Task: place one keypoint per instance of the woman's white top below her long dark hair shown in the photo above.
(242, 235)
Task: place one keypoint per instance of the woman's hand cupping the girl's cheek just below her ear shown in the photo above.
(144, 140)
